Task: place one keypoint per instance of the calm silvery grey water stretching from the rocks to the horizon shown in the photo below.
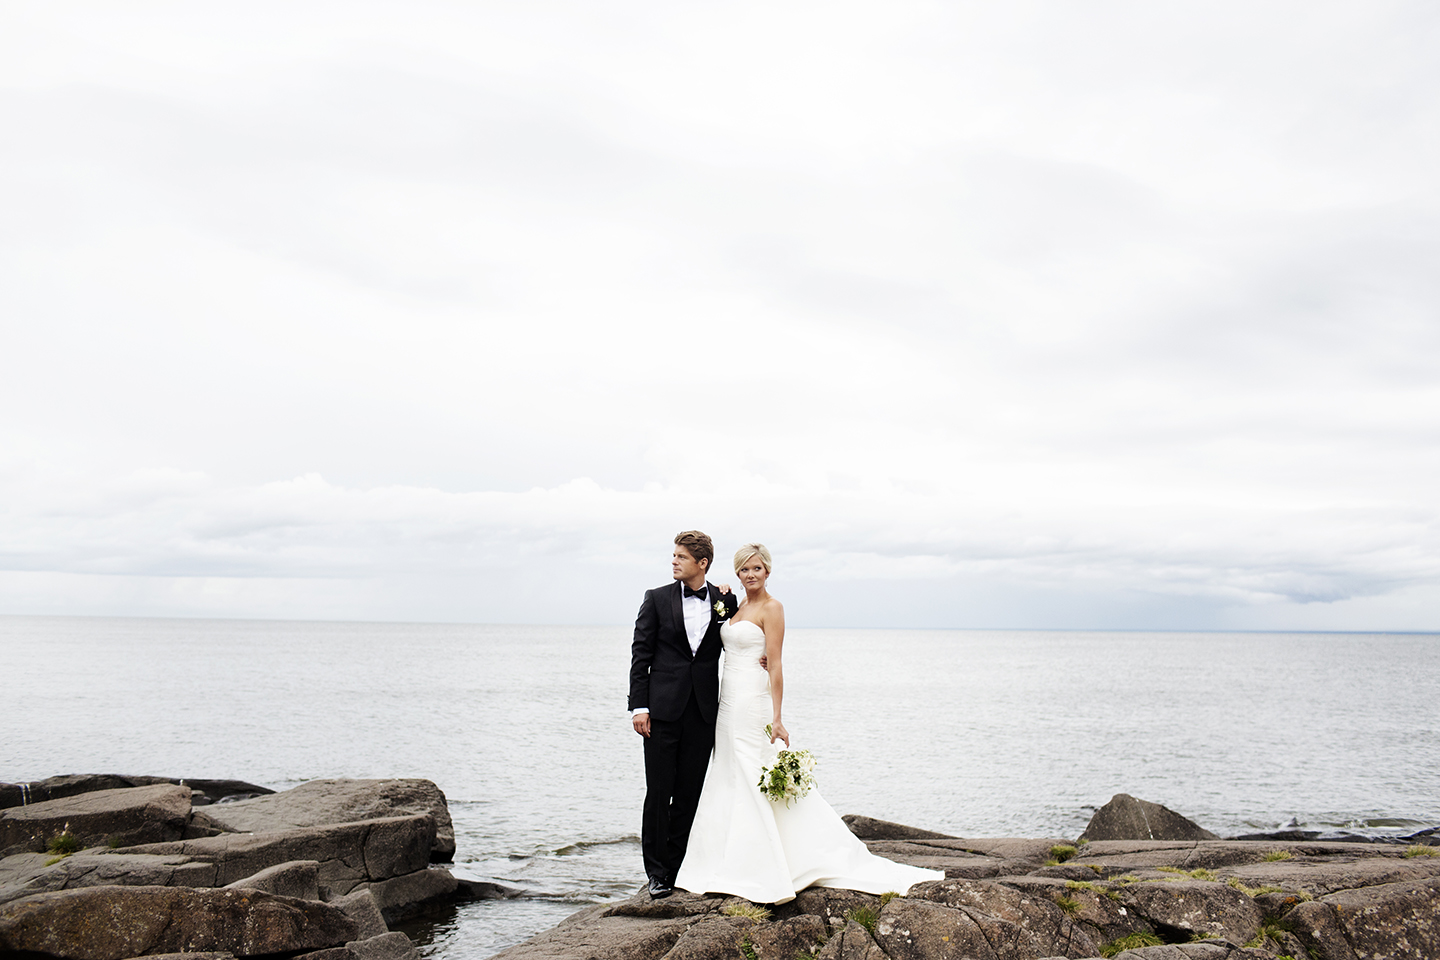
(977, 733)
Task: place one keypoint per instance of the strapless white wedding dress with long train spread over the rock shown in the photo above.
(745, 846)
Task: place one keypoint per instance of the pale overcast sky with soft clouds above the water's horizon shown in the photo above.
(1026, 314)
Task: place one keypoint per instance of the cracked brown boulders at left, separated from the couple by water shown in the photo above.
(104, 867)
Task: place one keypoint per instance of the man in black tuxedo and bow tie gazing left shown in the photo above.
(675, 693)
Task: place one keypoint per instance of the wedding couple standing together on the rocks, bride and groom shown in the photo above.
(716, 833)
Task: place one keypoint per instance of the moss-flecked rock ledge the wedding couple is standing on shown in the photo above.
(1177, 893)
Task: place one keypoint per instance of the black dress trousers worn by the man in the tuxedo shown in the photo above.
(678, 753)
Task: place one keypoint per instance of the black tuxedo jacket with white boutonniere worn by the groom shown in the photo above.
(663, 670)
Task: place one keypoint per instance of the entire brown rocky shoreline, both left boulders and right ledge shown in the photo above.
(109, 869)
